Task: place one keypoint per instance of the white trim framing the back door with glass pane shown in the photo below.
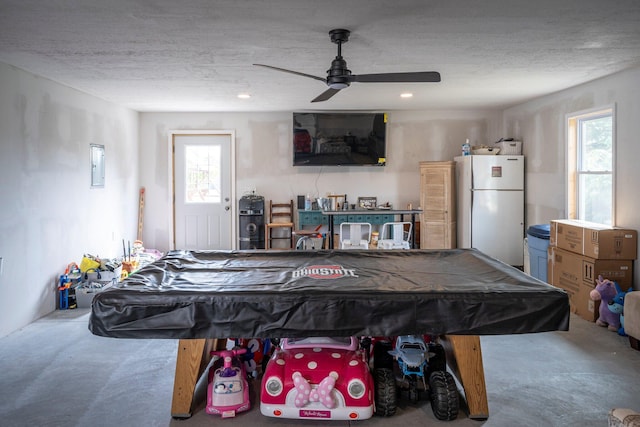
(171, 178)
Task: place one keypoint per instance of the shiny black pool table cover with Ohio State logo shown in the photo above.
(266, 294)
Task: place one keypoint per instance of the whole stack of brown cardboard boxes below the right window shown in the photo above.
(580, 251)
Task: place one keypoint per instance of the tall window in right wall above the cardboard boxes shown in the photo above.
(590, 166)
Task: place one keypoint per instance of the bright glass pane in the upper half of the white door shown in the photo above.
(203, 178)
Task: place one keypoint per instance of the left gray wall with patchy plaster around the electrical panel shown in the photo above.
(49, 216)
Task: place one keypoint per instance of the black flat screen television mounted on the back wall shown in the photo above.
(339, 139)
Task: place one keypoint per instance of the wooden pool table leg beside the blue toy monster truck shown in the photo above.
(464, 356)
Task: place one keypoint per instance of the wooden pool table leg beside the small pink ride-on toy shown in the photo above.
(193, 358)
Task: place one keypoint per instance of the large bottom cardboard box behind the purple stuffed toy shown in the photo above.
(577, 273)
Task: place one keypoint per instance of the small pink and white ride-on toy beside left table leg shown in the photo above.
(228, 388)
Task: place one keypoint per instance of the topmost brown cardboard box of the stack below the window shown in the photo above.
(596, 241)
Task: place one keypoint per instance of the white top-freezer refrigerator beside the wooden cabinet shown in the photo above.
(491, 205)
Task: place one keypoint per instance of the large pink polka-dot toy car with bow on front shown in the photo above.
(318, 378)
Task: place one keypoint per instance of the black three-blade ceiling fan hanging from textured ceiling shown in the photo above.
(340, 77)
